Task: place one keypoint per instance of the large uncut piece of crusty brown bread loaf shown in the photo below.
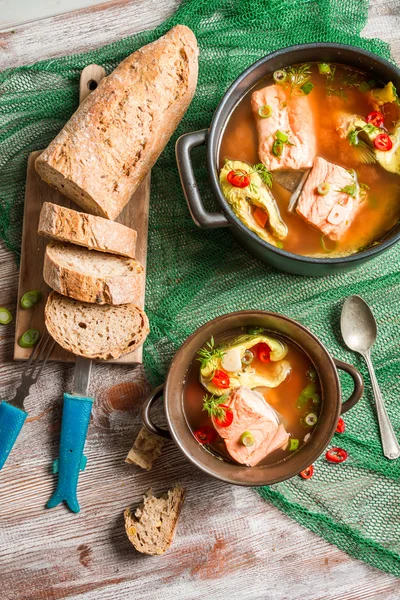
(111, 142)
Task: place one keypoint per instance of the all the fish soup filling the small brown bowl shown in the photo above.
(252, 397)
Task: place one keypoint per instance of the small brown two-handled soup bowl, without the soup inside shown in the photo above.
(330, 409)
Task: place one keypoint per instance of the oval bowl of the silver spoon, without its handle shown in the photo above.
(358, 325)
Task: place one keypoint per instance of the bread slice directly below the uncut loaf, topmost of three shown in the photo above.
(67, 225)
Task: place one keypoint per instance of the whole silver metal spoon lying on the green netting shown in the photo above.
(359, 332)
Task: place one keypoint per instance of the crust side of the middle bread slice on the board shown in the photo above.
(113, 290)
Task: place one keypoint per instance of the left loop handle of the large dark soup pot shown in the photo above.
(183, 148)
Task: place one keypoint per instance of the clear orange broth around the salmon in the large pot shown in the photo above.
(379, 212)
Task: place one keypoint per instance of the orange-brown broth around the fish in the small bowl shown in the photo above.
(283, 399)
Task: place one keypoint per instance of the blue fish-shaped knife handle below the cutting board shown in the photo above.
(75, 423)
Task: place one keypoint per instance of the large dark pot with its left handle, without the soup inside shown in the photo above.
(281, 258)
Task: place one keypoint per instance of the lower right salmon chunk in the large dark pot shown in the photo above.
(333, 213)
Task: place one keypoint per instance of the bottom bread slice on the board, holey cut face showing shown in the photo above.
(95, 331)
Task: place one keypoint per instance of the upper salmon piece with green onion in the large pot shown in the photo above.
(295, 118)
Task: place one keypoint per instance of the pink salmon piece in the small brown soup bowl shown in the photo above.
(252, 413)
